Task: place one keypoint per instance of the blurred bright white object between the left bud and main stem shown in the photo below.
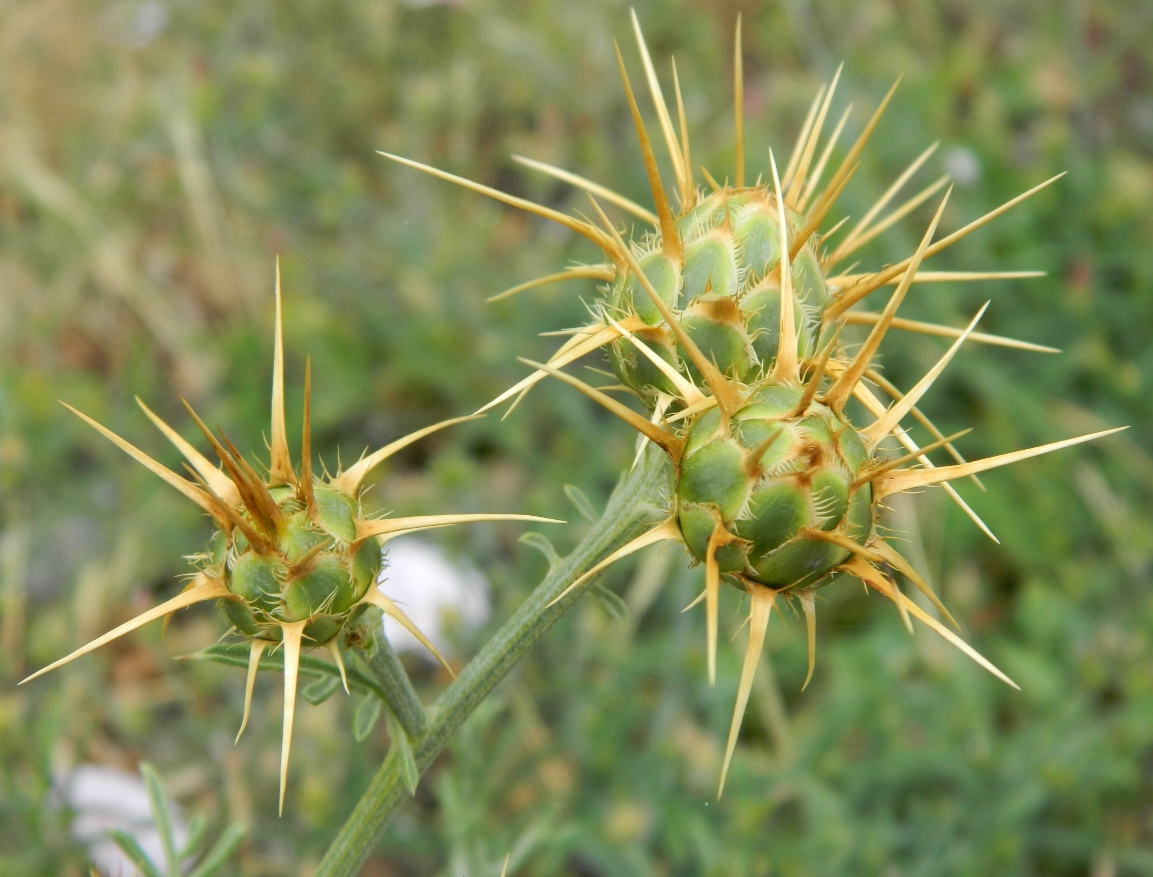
(439, 594)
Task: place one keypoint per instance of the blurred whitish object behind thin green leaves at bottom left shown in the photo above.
(103, 799)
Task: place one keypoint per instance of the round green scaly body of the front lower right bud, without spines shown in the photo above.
(773, 486)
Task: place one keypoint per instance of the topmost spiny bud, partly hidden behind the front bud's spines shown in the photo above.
(713, 255)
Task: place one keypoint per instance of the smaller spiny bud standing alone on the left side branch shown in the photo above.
(295, 560)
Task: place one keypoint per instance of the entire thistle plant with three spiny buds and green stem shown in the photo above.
(778, 443)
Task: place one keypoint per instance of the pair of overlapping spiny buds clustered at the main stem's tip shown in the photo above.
(725, 321)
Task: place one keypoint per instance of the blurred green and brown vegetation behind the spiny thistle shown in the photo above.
(157, 155)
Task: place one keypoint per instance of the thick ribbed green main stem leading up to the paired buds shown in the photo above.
(636, 506)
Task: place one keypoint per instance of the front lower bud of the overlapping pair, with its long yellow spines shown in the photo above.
(775, 489)
